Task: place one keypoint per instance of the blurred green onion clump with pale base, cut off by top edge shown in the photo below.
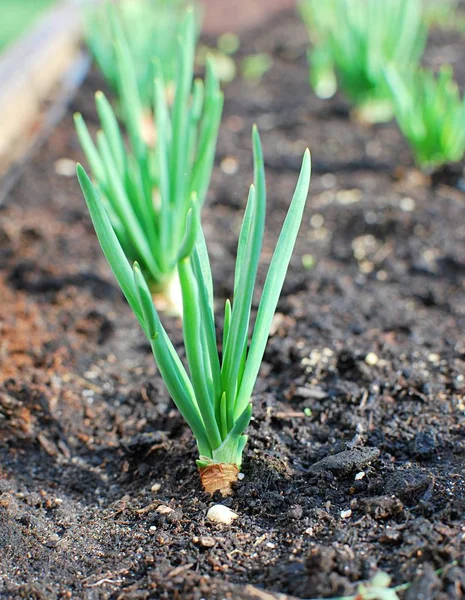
(359, 39)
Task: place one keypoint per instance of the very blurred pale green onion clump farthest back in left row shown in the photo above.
(151, 28)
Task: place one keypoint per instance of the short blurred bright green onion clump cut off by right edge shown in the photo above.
(430, 114)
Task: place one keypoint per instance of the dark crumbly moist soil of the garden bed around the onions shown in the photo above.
(356, 455)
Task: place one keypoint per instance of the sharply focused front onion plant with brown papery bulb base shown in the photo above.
(214, 393)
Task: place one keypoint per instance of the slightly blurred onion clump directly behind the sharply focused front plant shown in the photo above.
(147, 190)
